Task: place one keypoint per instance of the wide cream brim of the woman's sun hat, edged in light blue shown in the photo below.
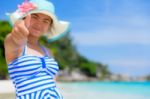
(56, 31)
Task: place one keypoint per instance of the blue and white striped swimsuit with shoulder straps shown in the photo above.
(33, 76)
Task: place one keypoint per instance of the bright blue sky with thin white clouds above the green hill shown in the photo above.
(113, 32)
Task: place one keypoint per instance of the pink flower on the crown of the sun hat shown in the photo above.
(26, 6)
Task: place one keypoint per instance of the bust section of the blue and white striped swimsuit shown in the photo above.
(29, 65)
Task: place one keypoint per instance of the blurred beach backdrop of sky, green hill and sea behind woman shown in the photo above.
(106, 54)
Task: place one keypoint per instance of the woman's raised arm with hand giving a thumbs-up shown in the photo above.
(15, 40)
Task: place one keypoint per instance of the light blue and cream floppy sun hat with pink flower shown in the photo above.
(58, 28)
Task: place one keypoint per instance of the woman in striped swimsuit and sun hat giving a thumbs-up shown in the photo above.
(30, 65)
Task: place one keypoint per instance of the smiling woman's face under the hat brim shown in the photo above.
(39, 24)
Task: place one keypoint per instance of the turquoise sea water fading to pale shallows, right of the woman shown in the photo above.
(105, 90)
